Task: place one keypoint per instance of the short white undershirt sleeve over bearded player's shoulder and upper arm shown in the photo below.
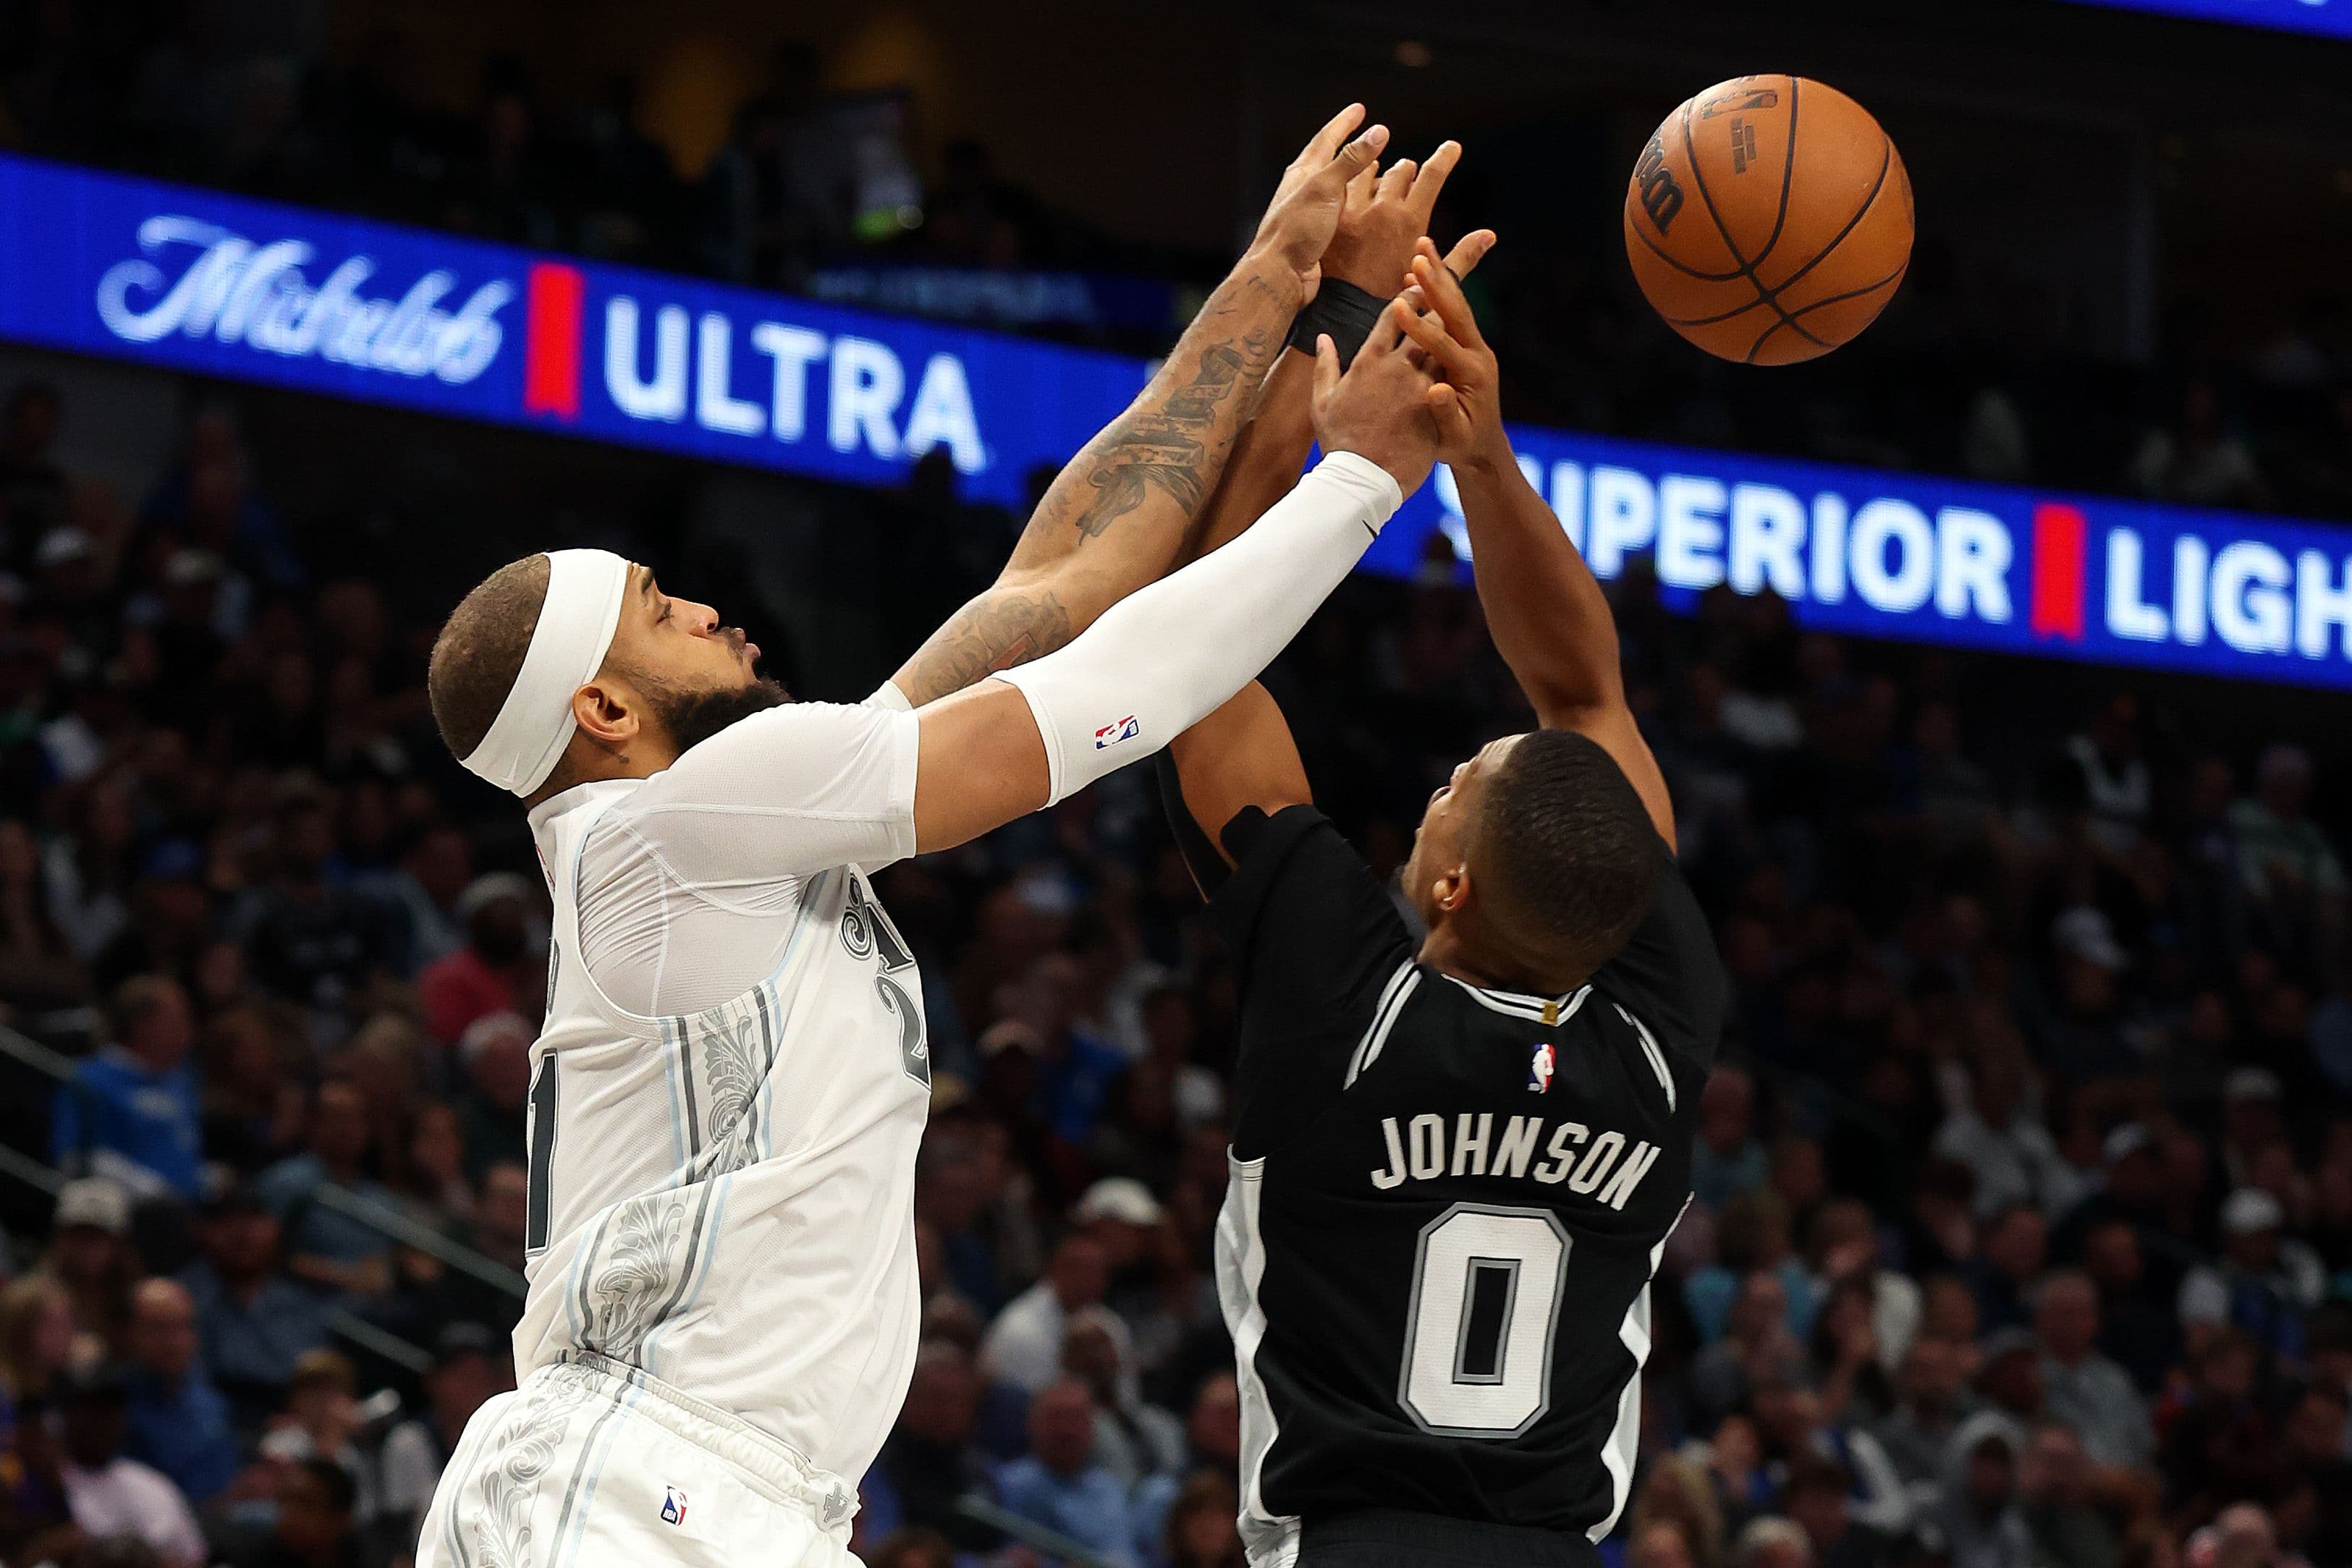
(784, 793)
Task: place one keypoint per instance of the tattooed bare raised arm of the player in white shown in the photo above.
(1123, 511)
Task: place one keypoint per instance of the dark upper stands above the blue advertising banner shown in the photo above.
(813, 189)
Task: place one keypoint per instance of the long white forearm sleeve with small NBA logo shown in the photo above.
(1170, 655)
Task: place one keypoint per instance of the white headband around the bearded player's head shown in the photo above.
(568, 648)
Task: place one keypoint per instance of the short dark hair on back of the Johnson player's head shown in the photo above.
(1565, 850)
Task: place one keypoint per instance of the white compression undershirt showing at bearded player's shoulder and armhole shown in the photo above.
(683, 883)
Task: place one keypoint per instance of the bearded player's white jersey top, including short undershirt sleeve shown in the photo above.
(733, 1080)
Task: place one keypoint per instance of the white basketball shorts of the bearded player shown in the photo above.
(594, 1463)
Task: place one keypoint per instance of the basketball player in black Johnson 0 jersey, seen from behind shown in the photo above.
(1455, 1167)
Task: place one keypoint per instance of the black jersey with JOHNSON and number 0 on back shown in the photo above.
(1448, 1202)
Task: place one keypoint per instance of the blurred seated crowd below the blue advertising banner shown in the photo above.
(2024, 1224)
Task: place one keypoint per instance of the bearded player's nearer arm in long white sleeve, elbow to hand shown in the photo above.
(1172, 652)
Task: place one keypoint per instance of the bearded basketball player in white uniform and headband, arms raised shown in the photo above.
(733, 1078)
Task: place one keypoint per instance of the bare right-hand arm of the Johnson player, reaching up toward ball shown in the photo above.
(1544, 608)
